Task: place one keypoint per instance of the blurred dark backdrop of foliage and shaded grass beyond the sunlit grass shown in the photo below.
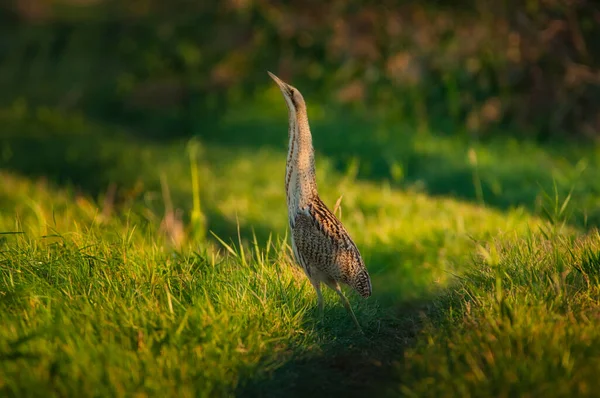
(403, 91)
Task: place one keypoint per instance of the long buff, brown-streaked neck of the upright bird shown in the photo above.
(300, 181)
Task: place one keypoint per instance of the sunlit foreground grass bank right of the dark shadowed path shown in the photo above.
(524, 322)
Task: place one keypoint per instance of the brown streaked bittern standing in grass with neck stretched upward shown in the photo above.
(320, 243)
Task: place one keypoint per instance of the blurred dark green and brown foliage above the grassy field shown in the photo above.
(475, 66)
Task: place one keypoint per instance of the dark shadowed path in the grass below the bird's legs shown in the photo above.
(346, 363)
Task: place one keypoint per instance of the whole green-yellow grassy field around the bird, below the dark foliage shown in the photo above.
(131, 266)
